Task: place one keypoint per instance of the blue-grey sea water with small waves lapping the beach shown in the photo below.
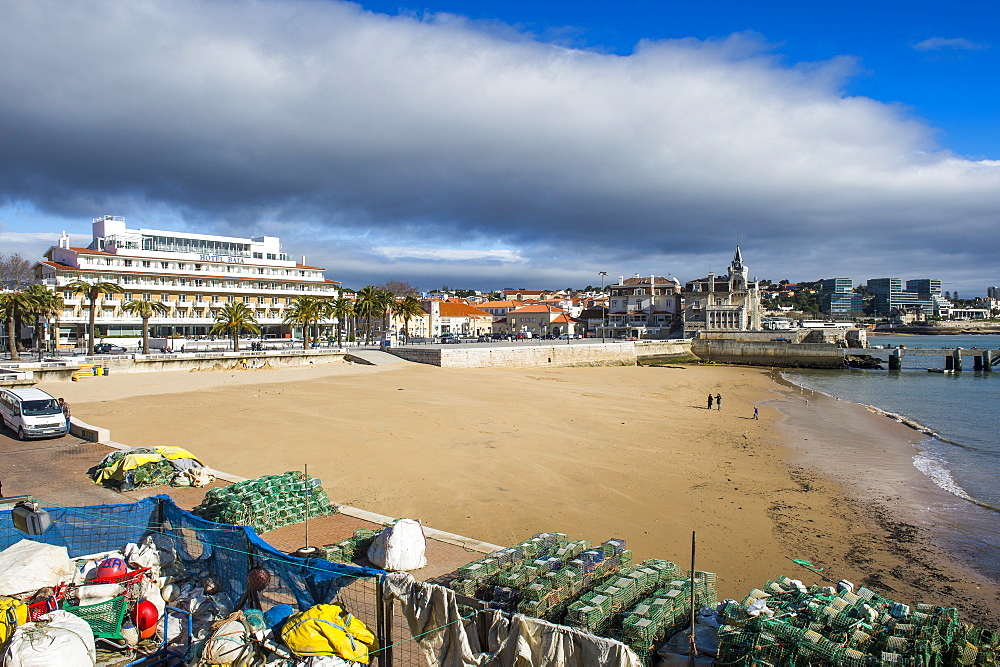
(961, 410)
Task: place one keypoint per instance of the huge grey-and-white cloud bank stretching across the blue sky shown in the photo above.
(401, 132)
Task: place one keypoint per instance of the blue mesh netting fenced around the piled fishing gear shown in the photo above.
(229, 552)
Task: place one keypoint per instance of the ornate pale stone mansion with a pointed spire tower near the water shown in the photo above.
(722, 304)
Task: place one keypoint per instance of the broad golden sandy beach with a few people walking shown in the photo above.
(630, 452)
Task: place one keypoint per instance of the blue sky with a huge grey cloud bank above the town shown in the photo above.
(516, 144)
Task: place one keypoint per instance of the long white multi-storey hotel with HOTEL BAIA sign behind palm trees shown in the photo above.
(193, 274)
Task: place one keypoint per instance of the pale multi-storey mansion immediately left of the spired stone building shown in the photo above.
(643, 307)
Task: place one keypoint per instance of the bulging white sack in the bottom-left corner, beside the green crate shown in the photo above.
(65, 640)
